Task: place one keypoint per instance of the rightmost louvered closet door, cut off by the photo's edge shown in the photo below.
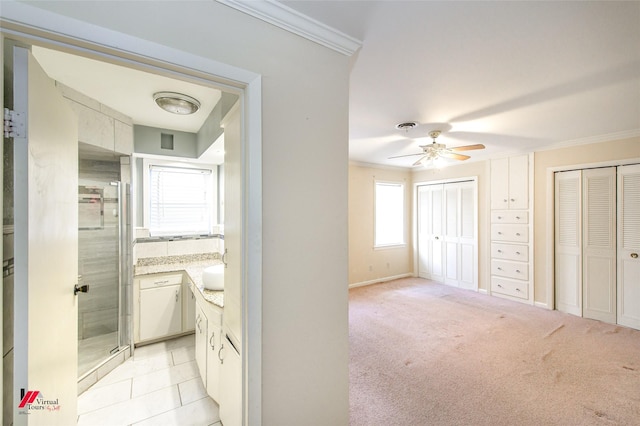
(629, 246)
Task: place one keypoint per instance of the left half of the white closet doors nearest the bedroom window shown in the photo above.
(430, 242)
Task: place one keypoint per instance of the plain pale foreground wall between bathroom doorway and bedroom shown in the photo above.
(304, 144)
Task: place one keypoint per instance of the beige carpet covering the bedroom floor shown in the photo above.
(427, 354)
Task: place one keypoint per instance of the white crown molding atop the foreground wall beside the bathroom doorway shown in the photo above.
(288, 19)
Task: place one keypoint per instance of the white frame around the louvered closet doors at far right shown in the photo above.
(549, 259)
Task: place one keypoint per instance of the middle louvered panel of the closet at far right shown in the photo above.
(599, 244)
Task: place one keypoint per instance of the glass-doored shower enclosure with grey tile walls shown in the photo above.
(103, 254)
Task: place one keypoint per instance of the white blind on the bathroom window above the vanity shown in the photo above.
(180, 201)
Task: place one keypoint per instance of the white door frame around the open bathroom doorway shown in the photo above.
(36, 26)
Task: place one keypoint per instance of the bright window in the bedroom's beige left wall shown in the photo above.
(389, 214)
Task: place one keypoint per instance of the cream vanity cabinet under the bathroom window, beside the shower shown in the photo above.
(161, 304)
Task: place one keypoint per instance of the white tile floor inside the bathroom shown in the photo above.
(159, 385)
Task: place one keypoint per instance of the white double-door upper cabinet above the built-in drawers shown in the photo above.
(510, 183)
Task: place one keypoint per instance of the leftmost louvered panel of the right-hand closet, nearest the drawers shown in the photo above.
(568, 241)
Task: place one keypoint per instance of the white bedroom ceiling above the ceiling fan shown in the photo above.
(514, 76)
